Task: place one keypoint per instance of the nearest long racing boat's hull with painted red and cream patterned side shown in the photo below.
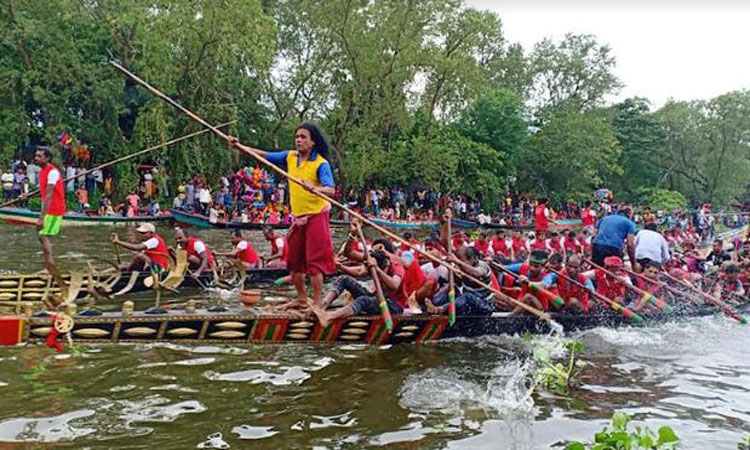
(240, 326)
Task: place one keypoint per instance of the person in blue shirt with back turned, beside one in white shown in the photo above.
(612, 233)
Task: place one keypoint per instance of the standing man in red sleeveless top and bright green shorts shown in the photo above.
(53, 205)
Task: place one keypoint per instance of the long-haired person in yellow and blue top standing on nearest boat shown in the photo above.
(309, 238)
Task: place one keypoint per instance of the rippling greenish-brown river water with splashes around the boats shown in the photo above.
(467, 394)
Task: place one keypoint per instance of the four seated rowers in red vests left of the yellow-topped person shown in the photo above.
(153, 252)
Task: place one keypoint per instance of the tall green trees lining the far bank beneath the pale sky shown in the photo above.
(412, 93)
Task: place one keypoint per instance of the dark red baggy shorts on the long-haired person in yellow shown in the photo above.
(310, 246)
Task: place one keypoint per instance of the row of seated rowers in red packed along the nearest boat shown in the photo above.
(411, 287)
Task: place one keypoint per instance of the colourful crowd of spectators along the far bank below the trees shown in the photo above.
(253, 194)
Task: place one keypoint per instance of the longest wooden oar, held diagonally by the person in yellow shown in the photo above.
(258, 157)
